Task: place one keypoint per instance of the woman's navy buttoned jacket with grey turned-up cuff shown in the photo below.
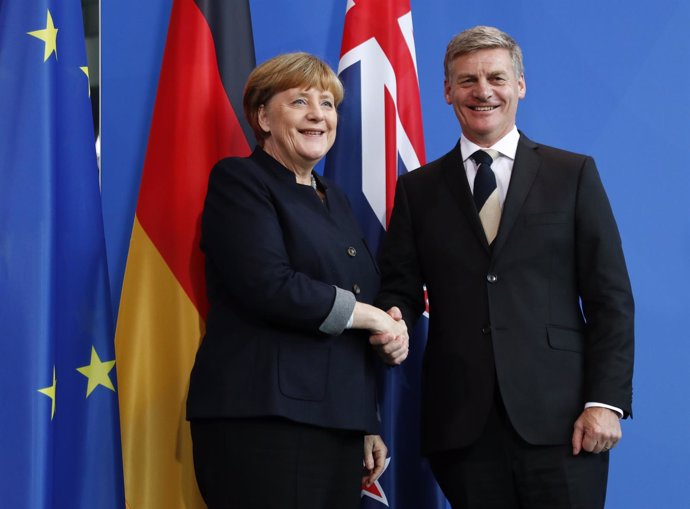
(274, 253)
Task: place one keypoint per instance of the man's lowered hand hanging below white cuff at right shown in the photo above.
(597, 429)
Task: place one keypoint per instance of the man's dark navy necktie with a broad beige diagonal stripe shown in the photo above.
(485, 193)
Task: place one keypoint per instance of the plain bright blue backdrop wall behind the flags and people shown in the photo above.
(605, 78)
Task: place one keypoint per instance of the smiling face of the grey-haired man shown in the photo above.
(484, 92)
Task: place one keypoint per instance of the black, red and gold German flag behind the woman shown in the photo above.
(197, 120)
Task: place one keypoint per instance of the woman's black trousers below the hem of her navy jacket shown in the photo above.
(274, 463)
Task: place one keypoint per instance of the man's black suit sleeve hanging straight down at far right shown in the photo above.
(607, 301)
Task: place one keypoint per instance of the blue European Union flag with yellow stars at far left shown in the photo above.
(59, 431)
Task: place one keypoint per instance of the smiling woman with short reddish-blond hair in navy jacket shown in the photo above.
(282, 394)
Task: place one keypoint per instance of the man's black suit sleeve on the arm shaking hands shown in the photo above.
(402, 283)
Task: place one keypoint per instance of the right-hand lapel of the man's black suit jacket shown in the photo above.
(524, 172)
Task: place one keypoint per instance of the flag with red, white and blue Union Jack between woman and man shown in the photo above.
(380, 136)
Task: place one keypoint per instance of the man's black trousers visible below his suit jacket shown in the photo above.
(502, 471)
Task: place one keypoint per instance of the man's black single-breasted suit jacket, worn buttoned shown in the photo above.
(546, 312)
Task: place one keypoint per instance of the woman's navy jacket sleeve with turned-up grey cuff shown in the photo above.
(243, 242)
